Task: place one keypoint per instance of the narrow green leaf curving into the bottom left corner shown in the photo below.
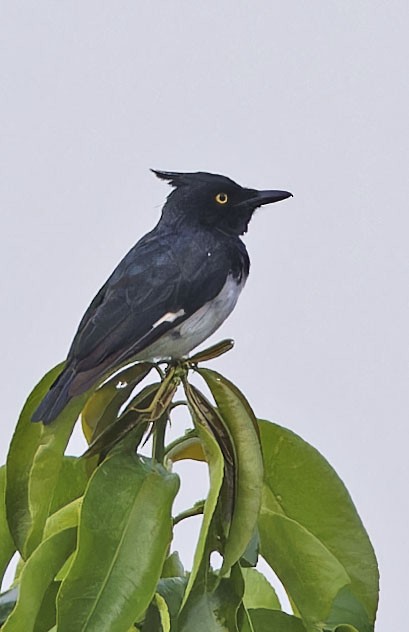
(37, 575)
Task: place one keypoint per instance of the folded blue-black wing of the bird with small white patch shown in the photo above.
(153, 289)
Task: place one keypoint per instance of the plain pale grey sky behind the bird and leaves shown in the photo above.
(308, 96)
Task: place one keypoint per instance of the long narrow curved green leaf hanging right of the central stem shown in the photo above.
(242, 425)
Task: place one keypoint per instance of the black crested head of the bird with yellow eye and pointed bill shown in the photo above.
(213, 200)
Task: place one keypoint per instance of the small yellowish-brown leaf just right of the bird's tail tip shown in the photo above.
(104, 405)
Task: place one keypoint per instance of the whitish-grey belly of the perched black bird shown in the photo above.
(193, 331)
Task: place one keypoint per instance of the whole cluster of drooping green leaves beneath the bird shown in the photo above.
(94, 533)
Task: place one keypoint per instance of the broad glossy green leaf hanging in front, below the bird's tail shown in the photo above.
(124, 533)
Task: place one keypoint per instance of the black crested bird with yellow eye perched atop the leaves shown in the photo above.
(172, 290)
